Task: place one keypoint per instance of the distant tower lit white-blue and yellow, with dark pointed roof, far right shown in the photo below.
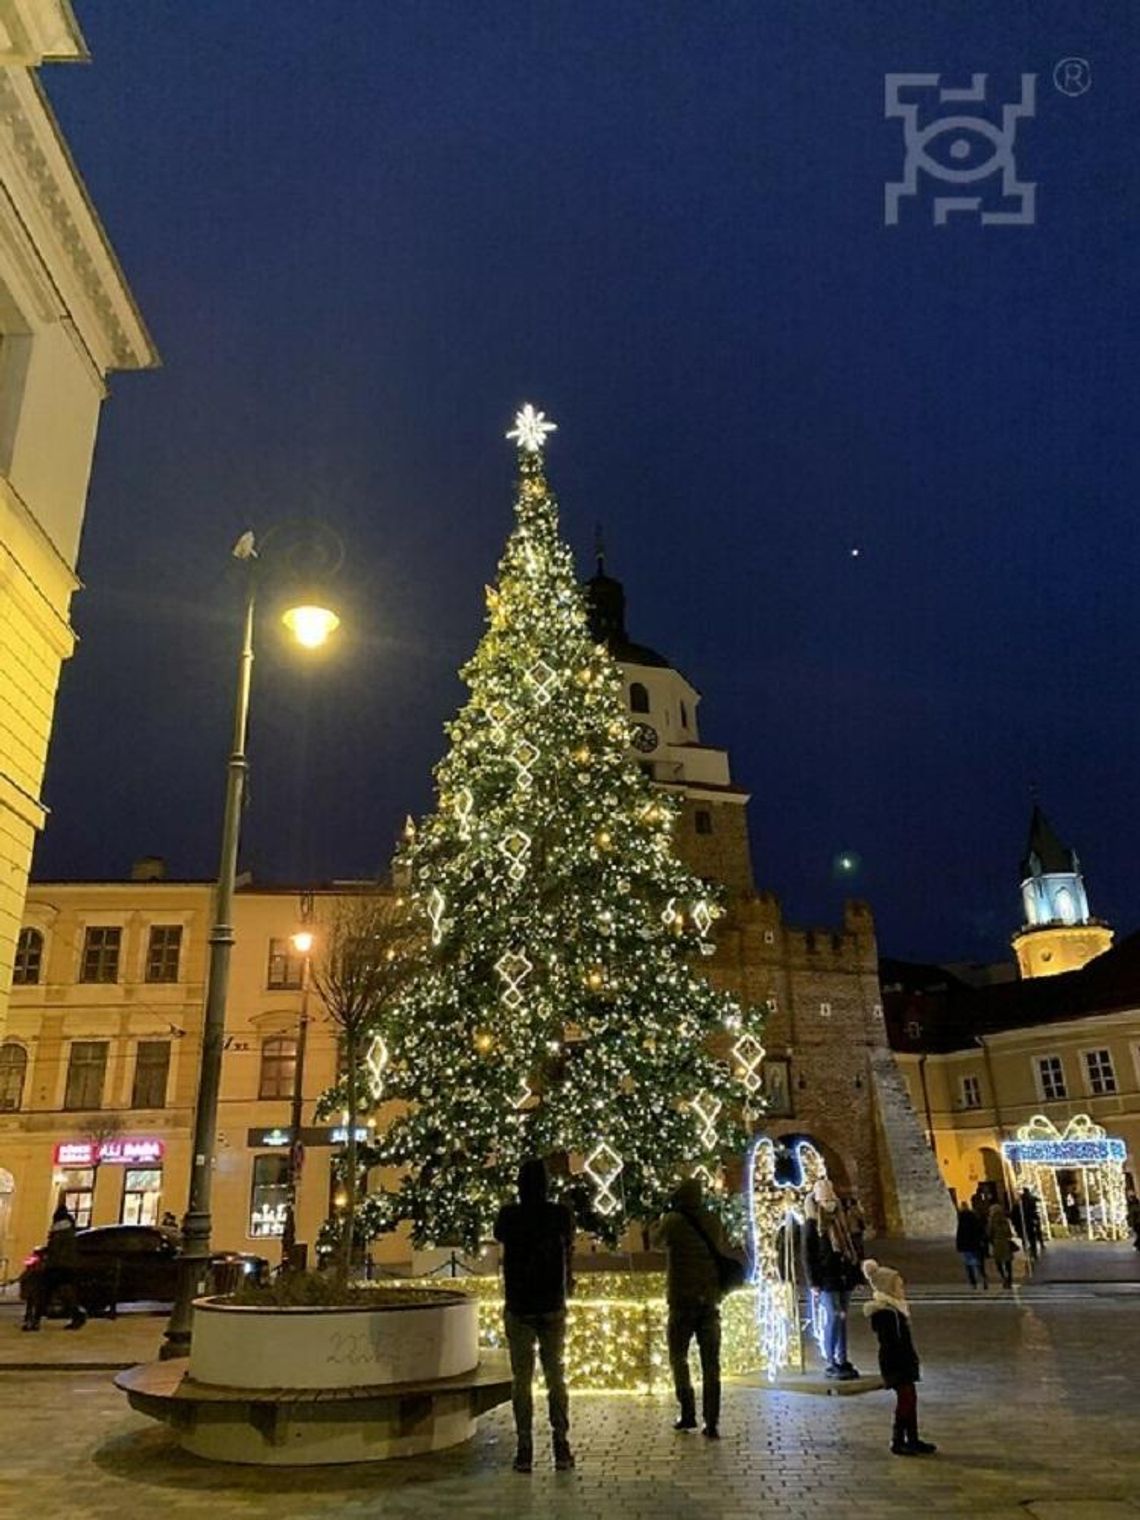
(1059, 933)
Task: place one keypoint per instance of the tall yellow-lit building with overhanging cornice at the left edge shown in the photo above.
(68, 320)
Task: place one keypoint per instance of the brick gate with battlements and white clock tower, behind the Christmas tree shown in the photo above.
(829, 1074)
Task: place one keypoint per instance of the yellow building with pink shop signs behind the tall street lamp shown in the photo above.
(100, 1066)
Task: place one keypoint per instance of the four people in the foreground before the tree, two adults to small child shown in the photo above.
(537, 1240)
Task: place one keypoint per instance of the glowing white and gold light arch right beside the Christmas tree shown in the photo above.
(776, 1212)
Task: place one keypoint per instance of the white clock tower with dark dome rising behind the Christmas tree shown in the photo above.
(712, 832)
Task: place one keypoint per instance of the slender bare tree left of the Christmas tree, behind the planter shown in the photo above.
(366, 955)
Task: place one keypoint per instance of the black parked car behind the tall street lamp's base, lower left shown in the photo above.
(131, 1264)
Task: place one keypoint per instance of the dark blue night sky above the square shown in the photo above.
(364, 232)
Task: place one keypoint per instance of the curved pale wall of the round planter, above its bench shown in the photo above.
(326, 1349)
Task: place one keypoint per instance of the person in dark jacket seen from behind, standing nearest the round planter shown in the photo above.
(539, 1240)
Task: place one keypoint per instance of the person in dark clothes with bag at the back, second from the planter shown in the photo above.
(700, 1268)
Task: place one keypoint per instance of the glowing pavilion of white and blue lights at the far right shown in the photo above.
(1042, 1151)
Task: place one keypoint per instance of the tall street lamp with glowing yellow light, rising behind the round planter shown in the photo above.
(311, 630)
